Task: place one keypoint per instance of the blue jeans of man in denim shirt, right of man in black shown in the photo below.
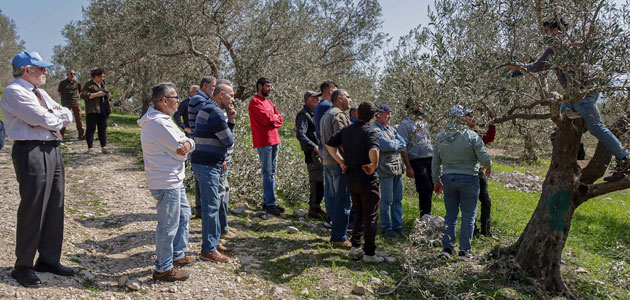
(391, 203)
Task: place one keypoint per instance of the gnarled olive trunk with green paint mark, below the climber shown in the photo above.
(539, 248)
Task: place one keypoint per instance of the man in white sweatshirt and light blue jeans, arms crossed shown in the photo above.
(165, 148)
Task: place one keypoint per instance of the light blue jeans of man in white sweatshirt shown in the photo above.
(171, 232)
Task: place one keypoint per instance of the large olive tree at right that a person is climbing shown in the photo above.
(460, 57)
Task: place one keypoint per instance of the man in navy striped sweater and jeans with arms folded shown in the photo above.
(213, 137)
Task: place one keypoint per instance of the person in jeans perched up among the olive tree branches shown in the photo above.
(586, 108)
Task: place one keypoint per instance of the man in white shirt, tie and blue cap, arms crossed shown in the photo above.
(33, 120)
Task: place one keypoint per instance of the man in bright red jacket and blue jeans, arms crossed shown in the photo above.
(265, 120)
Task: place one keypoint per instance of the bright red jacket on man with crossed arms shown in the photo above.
(265, 120)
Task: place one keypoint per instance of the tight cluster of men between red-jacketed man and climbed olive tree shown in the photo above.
(363, 165)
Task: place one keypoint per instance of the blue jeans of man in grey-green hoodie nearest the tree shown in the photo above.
(460, 192)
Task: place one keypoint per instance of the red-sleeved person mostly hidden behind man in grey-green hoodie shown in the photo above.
(484, 195)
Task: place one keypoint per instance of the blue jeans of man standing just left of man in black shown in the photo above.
(338, 202)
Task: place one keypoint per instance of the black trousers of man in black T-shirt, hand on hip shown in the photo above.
(366, 198)
